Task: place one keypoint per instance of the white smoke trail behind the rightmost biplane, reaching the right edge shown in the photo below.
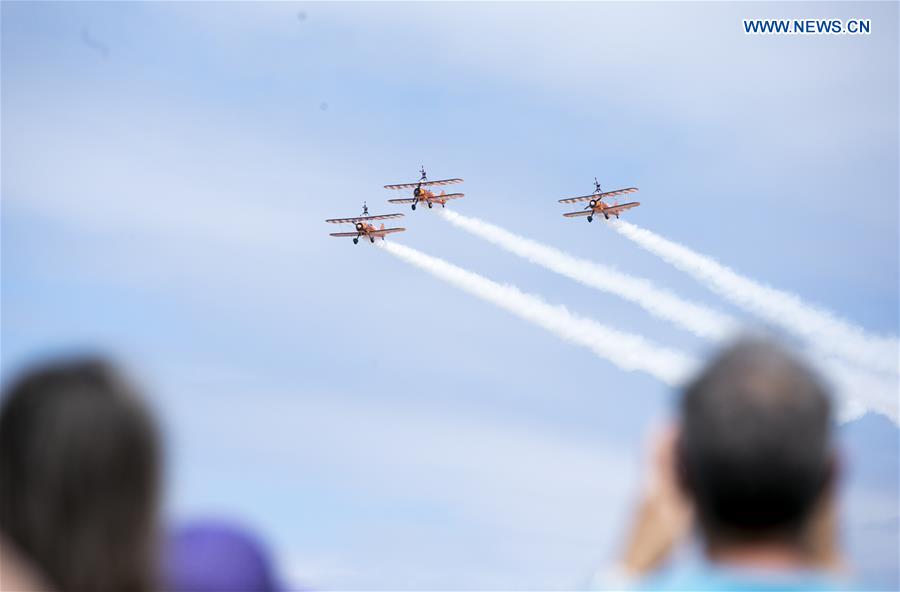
(822, 329)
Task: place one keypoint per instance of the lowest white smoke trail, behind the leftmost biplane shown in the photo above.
(626, 350)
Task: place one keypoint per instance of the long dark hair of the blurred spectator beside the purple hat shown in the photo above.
(79, 477)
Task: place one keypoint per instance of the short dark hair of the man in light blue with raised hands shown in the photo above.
(755, 447)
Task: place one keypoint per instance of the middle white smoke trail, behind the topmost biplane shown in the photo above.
(698, 319)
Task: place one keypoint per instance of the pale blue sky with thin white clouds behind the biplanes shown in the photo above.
(164, 200)
